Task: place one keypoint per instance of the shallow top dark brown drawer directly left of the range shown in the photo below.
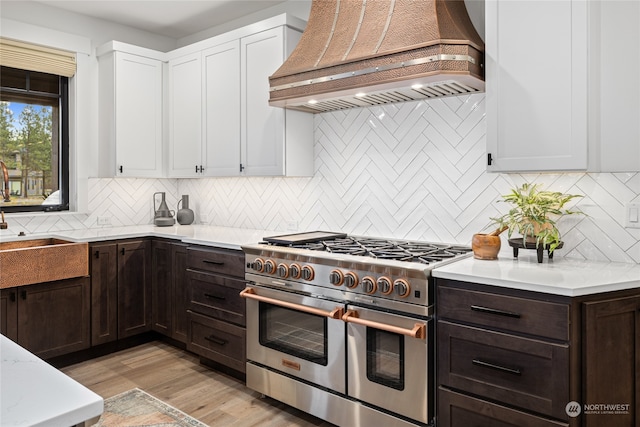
(214, 260)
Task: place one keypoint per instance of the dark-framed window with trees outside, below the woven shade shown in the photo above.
(34, 141)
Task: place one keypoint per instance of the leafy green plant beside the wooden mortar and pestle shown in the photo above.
(533, 215)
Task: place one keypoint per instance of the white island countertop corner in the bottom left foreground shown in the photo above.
(34, 393)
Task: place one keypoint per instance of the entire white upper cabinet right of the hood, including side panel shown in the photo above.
(563, 91)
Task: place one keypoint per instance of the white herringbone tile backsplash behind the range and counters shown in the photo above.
(410, 170)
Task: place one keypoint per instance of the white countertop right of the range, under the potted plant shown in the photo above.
(559, 276)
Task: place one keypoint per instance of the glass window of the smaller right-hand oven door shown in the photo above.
(385, 358)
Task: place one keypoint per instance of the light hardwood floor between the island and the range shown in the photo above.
(177, 378)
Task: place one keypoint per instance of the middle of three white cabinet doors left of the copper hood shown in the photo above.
(221, 92)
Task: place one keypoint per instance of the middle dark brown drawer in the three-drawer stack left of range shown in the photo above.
(217, 296)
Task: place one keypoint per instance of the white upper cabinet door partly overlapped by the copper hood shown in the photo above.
(262, 126)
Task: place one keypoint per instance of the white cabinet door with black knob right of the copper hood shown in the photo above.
(536, 59)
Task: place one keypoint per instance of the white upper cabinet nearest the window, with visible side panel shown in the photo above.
(130, 109)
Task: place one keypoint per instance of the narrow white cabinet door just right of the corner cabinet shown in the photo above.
(185, 116)
